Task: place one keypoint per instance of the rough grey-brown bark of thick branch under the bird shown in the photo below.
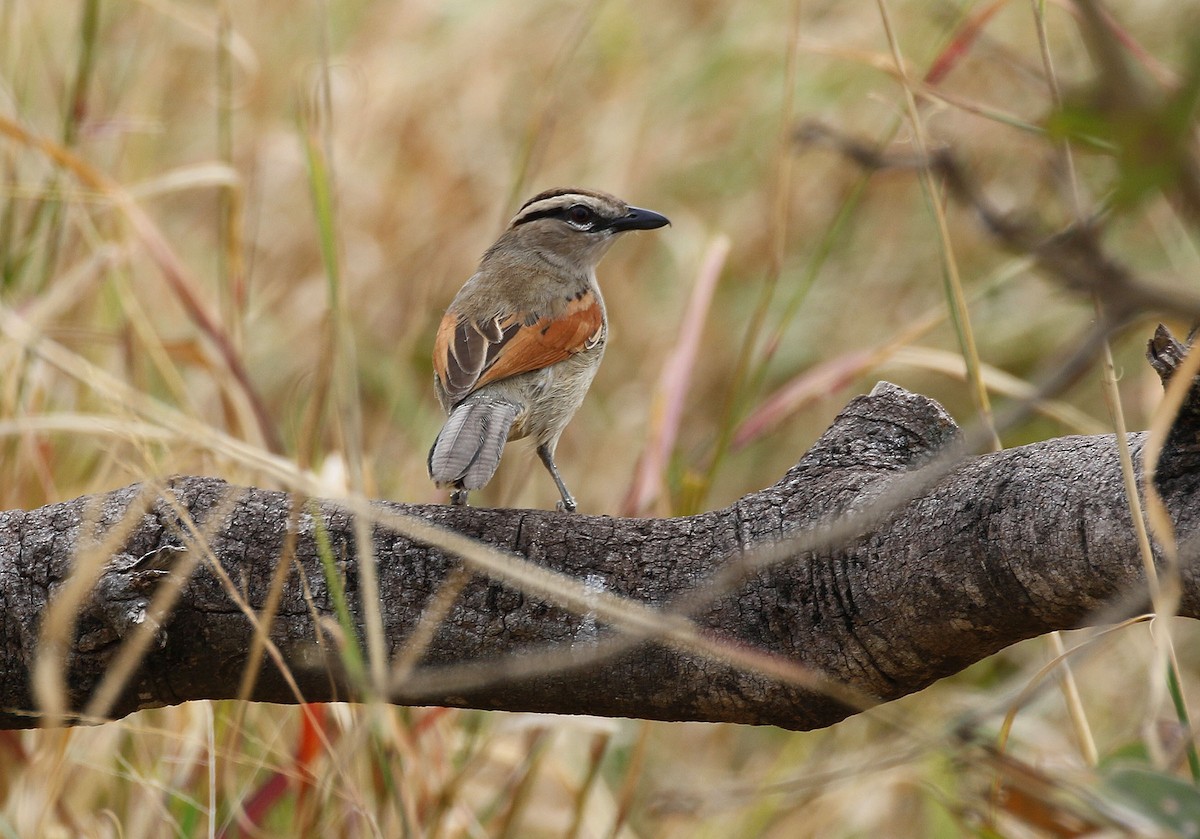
(949, 560)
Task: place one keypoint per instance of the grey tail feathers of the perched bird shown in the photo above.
(469, 448)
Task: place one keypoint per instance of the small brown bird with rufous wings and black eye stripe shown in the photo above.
(520, 344)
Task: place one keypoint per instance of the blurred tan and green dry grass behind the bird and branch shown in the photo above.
(255, 213)
